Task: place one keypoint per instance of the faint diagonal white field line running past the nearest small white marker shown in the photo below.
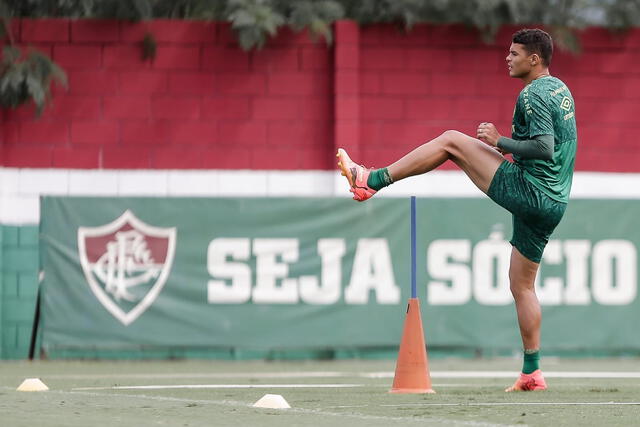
(303, 411)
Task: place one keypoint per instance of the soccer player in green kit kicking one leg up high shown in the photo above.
(534, 187)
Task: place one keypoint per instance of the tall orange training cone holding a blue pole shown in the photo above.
(412, 368)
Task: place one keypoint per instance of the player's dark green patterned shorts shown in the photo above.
(535, 215)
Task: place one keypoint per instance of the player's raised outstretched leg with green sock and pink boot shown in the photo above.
(476, 159)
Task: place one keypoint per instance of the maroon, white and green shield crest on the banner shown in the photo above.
(126, 263)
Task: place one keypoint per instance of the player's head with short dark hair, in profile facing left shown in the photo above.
(530, 50)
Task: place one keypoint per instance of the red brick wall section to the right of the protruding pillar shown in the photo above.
(411, 88)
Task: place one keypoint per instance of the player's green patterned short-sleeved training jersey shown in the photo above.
(546, 107)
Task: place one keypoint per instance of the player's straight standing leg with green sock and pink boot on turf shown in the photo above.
(522, 274)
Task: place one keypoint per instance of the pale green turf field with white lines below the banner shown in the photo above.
(354, 393)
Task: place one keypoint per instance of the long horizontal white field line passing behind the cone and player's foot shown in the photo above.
(336, 374)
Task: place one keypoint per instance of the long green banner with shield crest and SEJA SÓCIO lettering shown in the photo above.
(279, 273)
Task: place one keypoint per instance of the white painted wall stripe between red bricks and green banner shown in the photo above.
(20, 189)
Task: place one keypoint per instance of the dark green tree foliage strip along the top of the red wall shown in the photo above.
(254, 21)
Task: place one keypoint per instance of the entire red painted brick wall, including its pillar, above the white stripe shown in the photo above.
(204, 103)
